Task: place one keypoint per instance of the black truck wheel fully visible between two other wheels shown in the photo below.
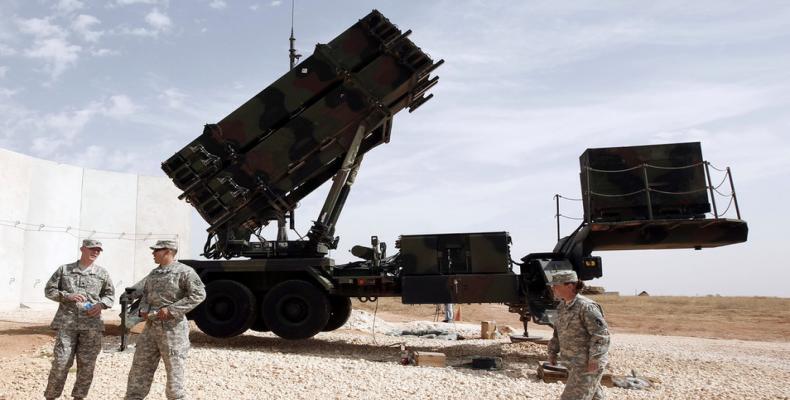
(295, 309)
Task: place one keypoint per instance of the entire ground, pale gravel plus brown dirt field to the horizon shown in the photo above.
(694, 347)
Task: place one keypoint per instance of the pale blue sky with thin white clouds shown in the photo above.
(527, 86)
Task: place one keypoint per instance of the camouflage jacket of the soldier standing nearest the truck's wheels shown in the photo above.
(176, 287)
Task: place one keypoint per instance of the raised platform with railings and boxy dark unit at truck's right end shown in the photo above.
(652, 197)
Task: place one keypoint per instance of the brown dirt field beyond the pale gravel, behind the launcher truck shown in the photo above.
(715, 317)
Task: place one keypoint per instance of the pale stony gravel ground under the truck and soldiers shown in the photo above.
(353, 364)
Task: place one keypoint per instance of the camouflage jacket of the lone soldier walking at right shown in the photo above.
(580, 332)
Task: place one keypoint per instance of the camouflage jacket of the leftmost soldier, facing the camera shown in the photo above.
(93, 282)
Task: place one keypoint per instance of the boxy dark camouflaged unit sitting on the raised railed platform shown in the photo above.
(613, 182)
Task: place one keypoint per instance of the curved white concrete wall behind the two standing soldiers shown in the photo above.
(127, 212)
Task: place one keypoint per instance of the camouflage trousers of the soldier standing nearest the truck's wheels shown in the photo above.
(158, 341)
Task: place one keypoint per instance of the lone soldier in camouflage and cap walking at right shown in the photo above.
(582, 335)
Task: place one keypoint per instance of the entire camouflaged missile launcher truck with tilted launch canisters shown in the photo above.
(316, 123)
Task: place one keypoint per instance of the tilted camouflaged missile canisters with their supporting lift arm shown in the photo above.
(316, 121)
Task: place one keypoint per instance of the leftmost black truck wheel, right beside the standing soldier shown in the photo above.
(229, 309)
